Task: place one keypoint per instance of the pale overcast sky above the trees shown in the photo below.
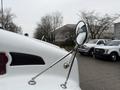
(29, 12)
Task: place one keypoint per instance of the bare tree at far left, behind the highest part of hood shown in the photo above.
(7, 21)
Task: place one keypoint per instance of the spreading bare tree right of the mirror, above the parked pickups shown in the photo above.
(98, 24)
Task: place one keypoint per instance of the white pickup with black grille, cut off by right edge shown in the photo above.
(110, 50)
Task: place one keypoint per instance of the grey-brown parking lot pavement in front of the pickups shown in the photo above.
(96, 74)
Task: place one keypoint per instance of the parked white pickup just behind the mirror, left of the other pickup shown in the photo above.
(88, 48)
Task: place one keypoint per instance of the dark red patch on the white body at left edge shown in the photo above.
(3, 62)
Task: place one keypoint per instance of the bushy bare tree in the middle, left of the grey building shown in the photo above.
(48, 24)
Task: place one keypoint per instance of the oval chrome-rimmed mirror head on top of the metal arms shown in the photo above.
(81, 32)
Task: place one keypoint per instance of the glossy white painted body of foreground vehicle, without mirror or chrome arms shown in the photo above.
(17, 77)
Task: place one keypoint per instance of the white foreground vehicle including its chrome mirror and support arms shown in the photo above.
(24, 59)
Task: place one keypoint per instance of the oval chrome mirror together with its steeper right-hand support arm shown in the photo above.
(82, 33)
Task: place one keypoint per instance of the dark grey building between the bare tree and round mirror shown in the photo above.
(65, 35)
